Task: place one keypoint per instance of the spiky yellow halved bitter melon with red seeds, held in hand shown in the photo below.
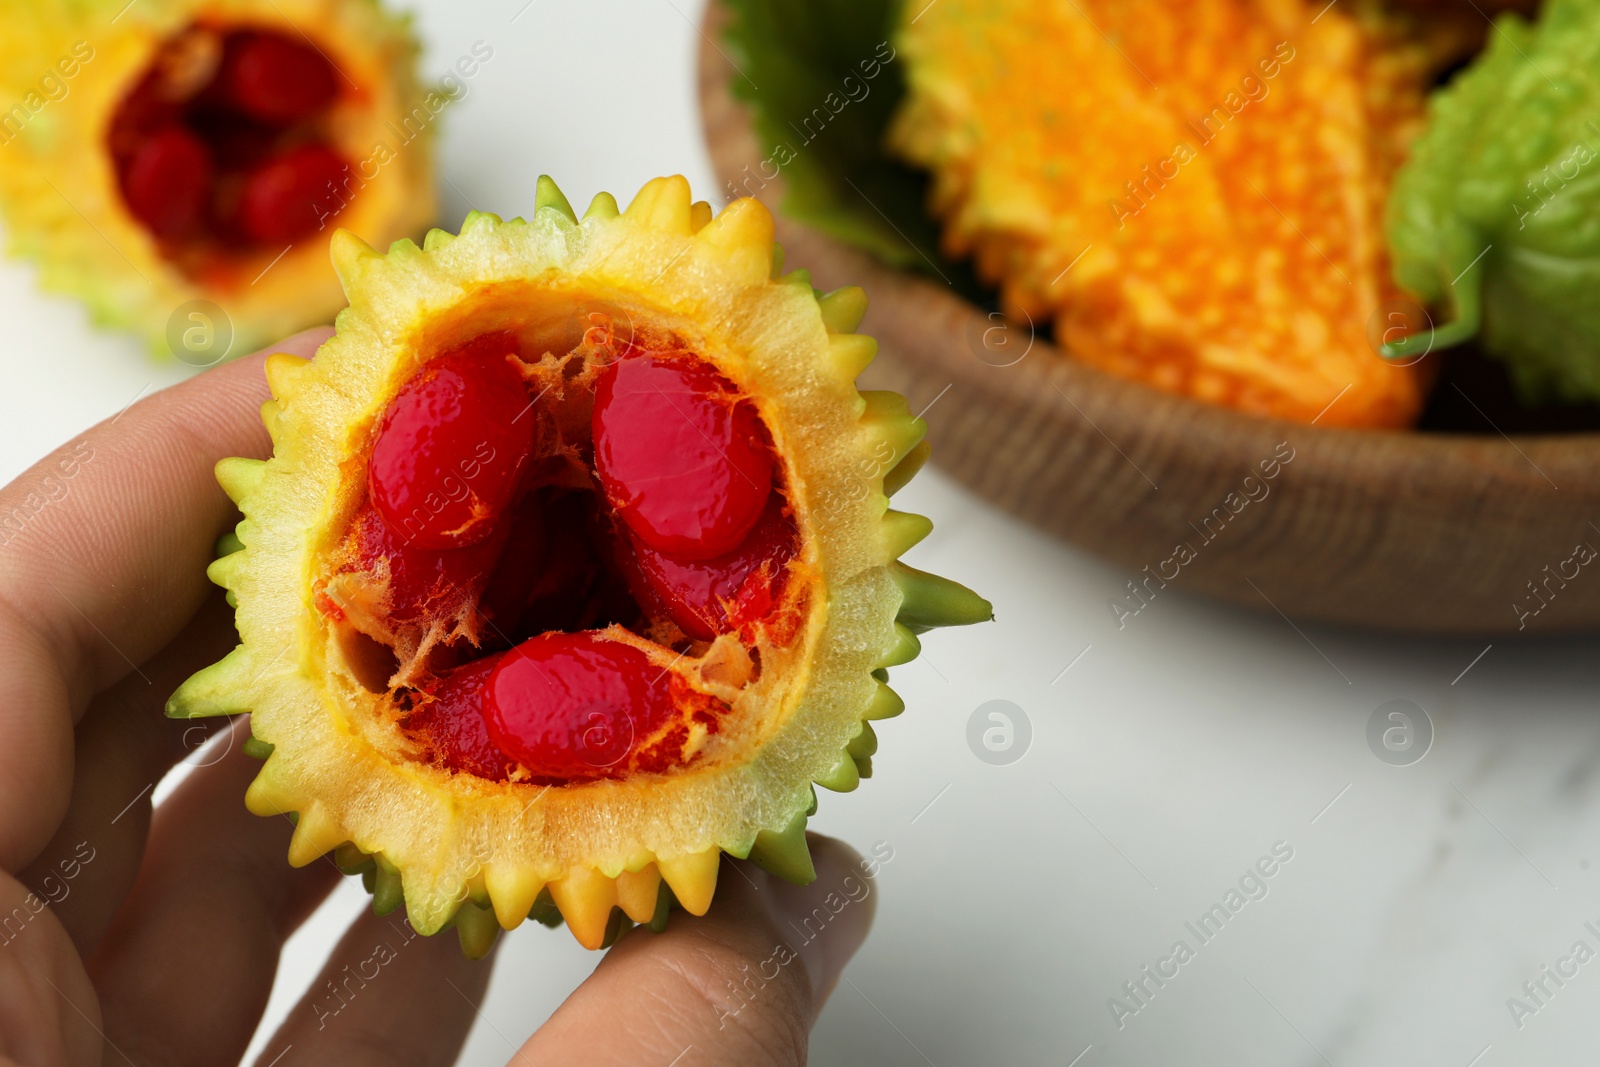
(574, 567)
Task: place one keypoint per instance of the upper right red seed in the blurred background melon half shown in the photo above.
(274, 79)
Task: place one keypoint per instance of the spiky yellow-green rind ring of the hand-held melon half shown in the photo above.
(596, 855)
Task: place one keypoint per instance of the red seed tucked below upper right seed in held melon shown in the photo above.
(711, 597)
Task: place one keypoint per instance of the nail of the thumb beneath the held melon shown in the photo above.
(826, 921)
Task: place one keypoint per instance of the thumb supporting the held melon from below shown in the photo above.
(740, 986)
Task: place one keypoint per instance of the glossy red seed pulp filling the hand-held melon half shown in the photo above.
(494, 505)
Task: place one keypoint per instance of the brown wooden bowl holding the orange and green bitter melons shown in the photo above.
(1402, 530)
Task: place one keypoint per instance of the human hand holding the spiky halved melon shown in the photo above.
(151, 937)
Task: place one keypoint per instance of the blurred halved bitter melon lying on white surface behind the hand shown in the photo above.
(162, 153)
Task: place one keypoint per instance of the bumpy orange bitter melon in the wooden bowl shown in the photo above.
(1191, 193)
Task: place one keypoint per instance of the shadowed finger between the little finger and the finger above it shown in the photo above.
(188, 964)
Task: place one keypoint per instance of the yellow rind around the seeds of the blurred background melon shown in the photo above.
(60, 194)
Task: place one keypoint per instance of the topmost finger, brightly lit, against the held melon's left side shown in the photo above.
(114, 564)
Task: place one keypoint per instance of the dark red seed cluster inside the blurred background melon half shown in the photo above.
(223, 143)
